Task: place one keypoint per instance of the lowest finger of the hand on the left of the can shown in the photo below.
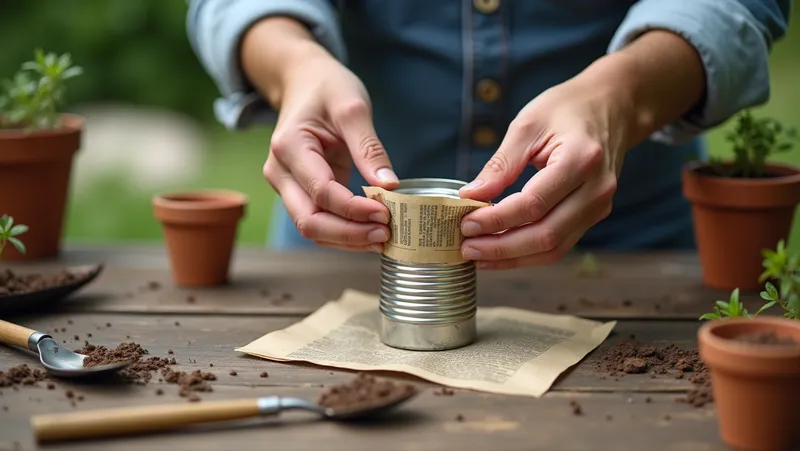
(318, 225)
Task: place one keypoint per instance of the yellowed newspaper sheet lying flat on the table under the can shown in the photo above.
(518, 352)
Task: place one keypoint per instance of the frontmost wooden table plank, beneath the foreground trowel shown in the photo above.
(616, 421)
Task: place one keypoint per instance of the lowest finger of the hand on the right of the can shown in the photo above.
(578, 212)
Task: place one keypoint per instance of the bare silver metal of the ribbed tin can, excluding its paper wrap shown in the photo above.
(428, 307)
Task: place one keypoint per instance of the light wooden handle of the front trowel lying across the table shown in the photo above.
(129, 420)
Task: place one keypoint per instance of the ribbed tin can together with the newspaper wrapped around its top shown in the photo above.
(428, 295)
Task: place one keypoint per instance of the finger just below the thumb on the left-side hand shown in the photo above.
(301, 154)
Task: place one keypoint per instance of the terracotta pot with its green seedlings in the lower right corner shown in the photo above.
(754, 361)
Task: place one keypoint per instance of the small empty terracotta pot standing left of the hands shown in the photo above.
(200, 232)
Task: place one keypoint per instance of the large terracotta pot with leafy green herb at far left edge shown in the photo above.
(37, 146)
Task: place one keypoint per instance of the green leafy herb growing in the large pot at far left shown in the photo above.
(30, 99)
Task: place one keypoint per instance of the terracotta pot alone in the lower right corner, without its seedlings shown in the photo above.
(754, 385)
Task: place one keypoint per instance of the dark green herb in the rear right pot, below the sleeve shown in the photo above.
(754, 140)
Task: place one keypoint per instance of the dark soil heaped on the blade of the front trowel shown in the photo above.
(365, 392)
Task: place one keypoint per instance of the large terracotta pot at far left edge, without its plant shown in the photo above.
(35, 171)
